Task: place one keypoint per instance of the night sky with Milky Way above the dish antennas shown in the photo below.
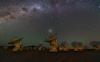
(72, 20)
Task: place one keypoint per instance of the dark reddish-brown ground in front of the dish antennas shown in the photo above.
(36, 56)
